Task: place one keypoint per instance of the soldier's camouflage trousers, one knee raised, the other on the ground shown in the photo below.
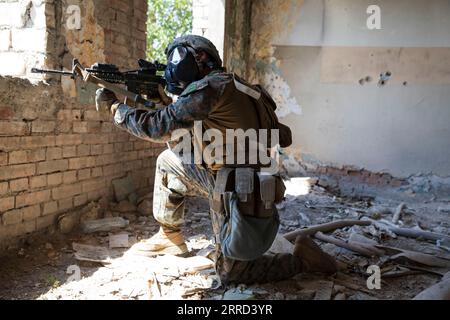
(174, 181)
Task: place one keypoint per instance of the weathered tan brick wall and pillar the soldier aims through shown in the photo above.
(57, 153)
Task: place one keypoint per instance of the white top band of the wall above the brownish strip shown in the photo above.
(406, 23)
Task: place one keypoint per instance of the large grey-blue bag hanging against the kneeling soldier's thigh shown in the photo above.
(243, 237)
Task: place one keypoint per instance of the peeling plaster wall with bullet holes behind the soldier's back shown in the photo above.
(323, 65)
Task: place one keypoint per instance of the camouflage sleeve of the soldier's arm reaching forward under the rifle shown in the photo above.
(157, 126)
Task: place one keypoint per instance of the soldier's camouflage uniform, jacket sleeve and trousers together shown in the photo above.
(174, 180)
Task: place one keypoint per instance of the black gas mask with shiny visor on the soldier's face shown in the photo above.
(182, 69)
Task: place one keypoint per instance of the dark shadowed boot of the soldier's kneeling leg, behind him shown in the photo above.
(314, 259)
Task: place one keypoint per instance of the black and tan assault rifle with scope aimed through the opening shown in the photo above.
(144, 81)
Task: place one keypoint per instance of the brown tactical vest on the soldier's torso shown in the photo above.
(240, 111)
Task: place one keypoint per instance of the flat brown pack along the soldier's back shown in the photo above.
(265, 107)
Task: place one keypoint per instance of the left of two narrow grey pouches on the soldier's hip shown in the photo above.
(245, 187)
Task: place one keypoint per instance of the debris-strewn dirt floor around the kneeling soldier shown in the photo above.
(55, 266)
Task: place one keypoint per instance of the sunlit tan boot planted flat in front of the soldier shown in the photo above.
(166, 241)
